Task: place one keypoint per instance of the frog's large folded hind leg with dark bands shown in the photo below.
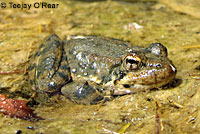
(49, 70)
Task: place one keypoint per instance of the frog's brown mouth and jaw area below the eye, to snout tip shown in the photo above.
(145, 79)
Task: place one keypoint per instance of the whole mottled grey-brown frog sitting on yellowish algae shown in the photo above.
(87, 69)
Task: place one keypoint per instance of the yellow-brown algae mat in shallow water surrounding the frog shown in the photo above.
(22, 31)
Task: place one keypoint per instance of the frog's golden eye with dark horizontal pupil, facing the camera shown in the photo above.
(132, 62)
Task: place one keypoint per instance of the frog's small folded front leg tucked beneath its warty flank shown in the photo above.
(83, 92)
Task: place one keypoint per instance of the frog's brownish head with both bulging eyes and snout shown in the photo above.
(146, 69)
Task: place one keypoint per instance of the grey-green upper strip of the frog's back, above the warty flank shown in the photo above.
(97, 45)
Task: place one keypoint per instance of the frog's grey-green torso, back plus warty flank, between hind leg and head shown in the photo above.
(92, 57)
